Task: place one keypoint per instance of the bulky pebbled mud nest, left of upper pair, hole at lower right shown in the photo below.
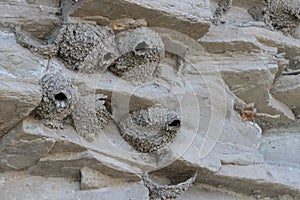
(86, 48)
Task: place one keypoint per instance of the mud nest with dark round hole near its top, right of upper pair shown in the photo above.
(140, 51)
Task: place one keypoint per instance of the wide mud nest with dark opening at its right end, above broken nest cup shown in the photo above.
(149, 130)
